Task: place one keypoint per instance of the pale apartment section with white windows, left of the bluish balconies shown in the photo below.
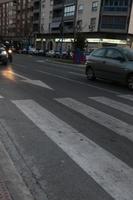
(64, 18)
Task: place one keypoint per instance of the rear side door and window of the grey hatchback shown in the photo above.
(96, 60)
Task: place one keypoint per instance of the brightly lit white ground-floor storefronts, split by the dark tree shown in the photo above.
(57, 43)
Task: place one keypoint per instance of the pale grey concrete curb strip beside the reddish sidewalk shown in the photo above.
(13, 178)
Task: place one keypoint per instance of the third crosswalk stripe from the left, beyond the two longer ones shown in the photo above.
(114, 104)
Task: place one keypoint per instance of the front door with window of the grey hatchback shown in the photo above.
(114, 65)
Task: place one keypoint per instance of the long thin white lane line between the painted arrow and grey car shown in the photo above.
(79, 82)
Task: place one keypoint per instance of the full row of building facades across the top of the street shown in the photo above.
(53, 22)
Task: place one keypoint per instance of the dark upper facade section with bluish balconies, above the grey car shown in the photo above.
(116, 16)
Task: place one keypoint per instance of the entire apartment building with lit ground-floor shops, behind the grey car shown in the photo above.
(103, 22)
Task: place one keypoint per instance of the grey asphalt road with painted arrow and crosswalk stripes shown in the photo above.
(62, 137)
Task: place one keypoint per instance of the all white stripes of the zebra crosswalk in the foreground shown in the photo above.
(110, 172)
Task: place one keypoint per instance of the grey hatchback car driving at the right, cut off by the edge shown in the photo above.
(111, 63)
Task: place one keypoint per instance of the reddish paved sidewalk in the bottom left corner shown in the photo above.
(4, 193)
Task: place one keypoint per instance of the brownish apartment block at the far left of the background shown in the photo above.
(16, 19)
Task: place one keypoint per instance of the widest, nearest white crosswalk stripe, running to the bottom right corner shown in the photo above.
(113, 175)
